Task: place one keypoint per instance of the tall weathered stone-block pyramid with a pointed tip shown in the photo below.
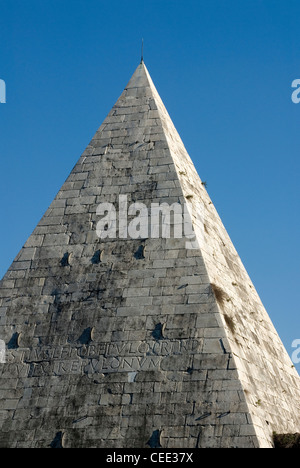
(119, 336)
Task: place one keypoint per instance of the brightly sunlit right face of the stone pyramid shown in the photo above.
(269, 378)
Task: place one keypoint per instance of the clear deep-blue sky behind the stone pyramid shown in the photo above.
(224, 71)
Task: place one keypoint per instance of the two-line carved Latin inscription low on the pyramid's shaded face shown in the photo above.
(106, 358)
